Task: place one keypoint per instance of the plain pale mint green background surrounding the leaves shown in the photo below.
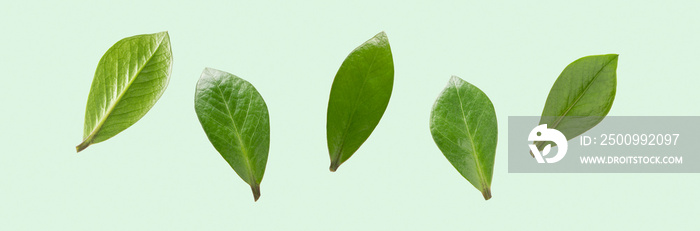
(163, 174)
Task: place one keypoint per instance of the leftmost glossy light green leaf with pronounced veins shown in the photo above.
(130, 78)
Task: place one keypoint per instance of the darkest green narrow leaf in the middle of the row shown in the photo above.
(359, 96)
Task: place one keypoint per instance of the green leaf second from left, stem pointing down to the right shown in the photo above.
(234, 116)
